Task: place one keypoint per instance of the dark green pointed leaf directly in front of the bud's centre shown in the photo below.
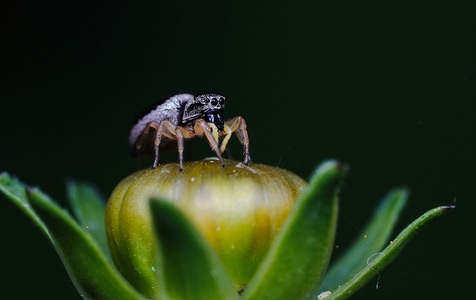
(186, 267)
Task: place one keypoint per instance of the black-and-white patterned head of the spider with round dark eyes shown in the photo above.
(209, 107)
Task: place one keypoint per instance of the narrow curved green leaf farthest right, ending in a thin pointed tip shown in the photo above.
(382, 259)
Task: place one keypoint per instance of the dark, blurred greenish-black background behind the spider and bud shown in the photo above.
(387, 87)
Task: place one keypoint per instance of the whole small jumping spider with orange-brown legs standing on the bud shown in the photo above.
(184, 116)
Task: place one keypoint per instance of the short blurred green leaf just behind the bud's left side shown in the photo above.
(88, 207)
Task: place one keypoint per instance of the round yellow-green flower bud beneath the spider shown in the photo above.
(238, 209)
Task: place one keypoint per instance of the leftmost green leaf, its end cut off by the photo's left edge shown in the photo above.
(15, 191)
